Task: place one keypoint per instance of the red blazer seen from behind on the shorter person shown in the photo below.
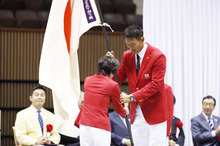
(99, 92)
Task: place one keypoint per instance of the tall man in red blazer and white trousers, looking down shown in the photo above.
(145, 74)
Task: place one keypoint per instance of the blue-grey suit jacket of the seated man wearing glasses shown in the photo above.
(201, 130)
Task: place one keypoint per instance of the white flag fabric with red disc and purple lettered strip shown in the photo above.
(59, 69)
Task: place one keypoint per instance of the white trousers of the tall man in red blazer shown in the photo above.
(148, 135)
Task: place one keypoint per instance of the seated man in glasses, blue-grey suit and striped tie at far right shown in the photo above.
(205, 127)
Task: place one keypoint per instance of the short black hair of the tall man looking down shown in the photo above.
(133, 31)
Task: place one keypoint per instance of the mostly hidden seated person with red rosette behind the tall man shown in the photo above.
(176, 136)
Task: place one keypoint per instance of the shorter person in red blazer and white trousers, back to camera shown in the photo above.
(99, 92)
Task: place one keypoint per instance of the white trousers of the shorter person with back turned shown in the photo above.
(90, 136)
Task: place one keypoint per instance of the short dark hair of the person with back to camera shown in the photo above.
(107, 65)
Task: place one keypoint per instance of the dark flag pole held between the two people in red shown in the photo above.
(116, 78)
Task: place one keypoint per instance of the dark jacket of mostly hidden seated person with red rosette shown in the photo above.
(181, 137)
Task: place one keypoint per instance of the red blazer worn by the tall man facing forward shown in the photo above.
(148, 87)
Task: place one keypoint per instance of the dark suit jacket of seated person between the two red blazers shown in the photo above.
(118, 129)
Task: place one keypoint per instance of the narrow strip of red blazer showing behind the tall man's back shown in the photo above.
(169, 94)
